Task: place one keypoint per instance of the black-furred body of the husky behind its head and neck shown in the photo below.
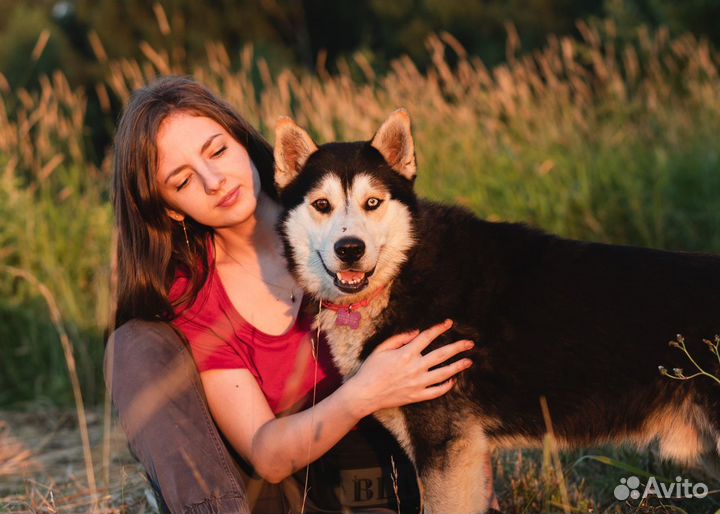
(585, 325)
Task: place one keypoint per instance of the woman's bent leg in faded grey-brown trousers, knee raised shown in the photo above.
(158, 395)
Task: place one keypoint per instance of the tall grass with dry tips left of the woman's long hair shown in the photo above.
(56, 225)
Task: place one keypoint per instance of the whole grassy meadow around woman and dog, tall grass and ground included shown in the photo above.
(598, 137)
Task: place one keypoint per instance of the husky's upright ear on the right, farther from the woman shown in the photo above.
(394, 141)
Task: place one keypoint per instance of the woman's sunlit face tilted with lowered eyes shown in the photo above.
(204, 173)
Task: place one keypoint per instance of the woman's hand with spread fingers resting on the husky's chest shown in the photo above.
(397, 373)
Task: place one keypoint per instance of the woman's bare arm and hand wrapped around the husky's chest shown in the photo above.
(394, 374)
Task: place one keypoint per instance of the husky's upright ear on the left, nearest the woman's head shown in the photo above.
(293, 146)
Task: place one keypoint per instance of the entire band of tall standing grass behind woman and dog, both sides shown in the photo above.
(575, 139)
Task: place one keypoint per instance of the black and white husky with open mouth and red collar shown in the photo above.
(583, 325)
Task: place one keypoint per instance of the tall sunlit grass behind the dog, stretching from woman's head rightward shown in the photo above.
(593, 138)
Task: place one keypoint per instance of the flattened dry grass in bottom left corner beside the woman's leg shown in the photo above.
(42, 466)
